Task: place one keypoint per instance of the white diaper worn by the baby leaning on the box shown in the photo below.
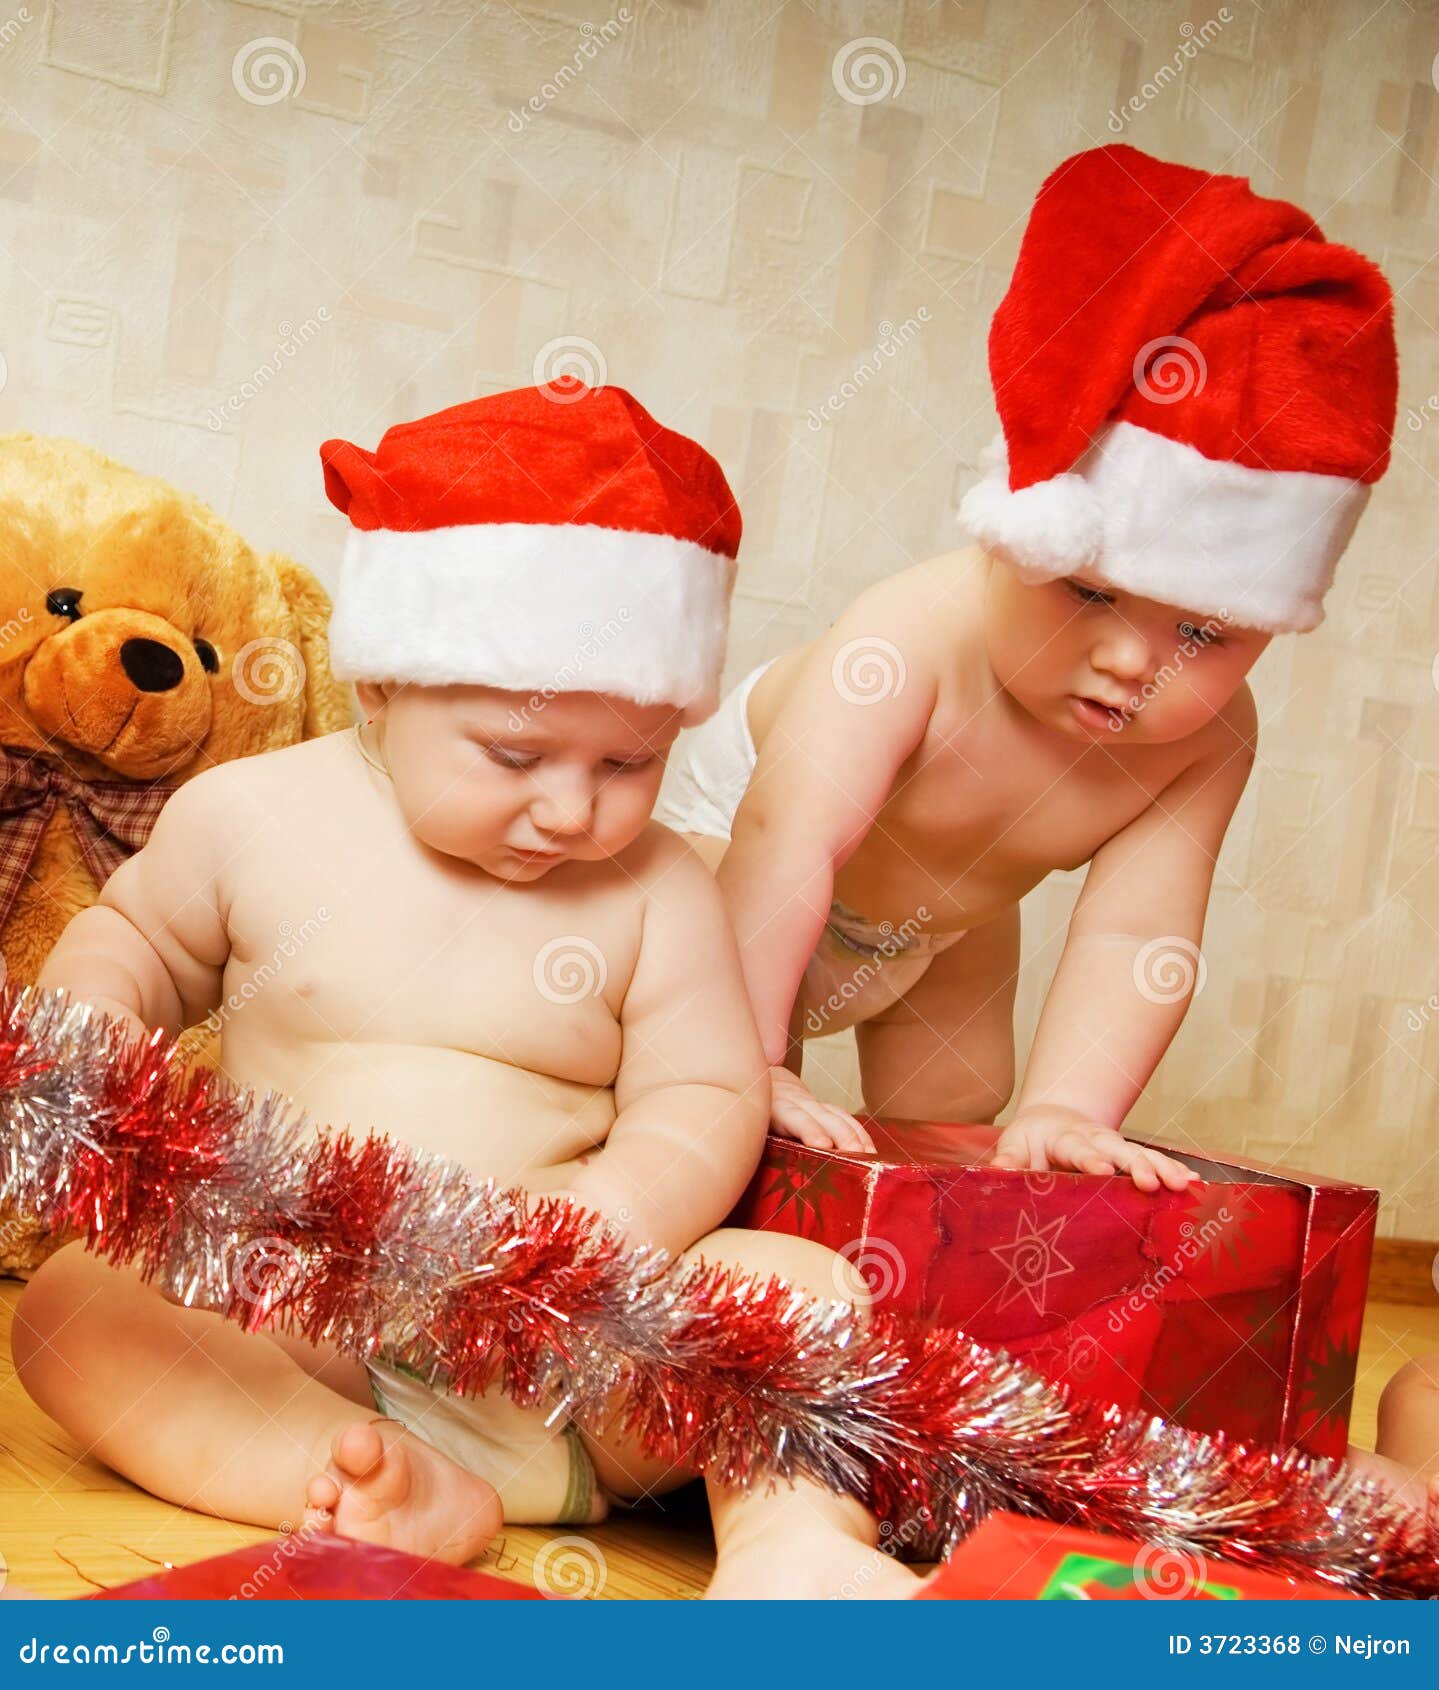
(860, 968)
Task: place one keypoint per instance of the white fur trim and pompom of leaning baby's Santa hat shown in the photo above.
(1154, 516)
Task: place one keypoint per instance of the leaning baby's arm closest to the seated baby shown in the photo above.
(823, 777)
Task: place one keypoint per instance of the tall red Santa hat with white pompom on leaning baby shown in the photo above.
(1196, 393)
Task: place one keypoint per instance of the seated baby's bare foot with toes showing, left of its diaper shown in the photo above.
(388, 1486)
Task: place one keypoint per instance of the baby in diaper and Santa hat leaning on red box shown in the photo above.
(1196, 393)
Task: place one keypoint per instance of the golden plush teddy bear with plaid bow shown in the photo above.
(141, 641)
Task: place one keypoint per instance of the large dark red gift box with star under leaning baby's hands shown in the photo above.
(1232, 1307)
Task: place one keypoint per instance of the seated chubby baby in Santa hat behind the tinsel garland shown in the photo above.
(468, 934)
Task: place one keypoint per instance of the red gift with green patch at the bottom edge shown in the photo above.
(1017, 1559)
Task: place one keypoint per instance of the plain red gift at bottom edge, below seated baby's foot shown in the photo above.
(310, 1567)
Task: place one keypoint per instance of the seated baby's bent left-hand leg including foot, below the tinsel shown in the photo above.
(205, 1415)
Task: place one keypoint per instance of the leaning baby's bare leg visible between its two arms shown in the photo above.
(946, 1050)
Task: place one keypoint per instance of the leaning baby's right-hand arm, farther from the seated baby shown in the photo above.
(1127, 974)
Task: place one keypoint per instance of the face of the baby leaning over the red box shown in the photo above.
(1103, 665)
